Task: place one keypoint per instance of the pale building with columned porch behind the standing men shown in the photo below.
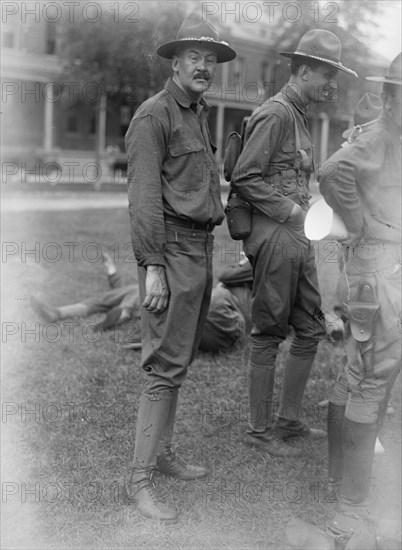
(66, 131)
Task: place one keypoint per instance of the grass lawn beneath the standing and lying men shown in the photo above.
(70, 402)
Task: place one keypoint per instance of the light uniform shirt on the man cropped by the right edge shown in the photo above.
(362, 182)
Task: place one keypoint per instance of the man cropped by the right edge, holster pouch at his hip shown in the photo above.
(365, 190)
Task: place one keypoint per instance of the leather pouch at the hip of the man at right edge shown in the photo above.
(362, 312)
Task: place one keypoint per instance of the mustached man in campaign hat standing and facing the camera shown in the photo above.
(174, 204)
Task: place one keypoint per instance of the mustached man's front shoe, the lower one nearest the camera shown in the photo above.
(141, 490)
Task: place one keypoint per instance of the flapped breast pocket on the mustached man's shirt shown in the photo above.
(187, 165)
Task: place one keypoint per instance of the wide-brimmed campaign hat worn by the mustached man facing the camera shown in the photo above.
(194, 29)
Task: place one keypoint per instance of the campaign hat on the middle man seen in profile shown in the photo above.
(322, 45)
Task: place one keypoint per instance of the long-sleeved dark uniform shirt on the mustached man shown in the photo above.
(171, 170)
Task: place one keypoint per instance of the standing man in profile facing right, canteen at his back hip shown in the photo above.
(272, 175)
